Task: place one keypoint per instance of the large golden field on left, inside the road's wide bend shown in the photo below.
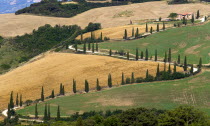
(54, 68)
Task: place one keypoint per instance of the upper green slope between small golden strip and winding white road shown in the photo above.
(194, 42)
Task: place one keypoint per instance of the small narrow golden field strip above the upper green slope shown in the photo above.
(118, 32)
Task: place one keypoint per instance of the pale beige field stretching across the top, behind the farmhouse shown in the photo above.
(12, 25)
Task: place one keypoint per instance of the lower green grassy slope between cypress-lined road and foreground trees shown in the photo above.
(164, 95)
